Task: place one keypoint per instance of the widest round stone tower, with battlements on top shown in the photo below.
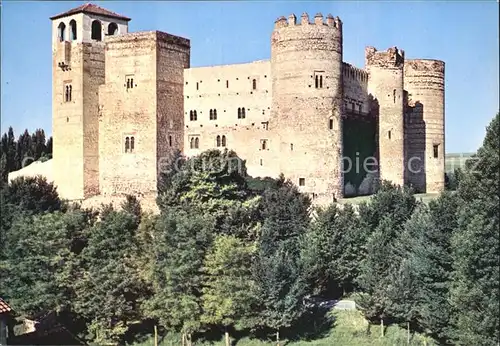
(306, 65)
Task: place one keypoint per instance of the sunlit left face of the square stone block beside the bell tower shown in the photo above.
(129, 112)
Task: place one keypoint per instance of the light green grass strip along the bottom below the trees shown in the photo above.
(349, 329)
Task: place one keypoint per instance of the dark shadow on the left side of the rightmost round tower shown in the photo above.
(415, 147)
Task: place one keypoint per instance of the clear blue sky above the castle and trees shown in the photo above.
(463, 34)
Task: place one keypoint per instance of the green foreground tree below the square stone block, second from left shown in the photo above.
(109, 287)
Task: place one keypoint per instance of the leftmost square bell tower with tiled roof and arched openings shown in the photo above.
(77, 71)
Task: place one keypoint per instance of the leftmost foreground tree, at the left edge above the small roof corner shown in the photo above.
(40, 251)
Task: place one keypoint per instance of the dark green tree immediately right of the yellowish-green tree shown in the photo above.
(278, 267)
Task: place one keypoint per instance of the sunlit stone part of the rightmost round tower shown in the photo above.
(424, 82)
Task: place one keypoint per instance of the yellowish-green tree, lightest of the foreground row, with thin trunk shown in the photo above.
(228, 292)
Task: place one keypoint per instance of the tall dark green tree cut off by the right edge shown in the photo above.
(475, 246)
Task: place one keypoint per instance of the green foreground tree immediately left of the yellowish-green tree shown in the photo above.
(180, 243)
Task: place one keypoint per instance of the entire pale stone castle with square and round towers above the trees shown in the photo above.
(122, 102)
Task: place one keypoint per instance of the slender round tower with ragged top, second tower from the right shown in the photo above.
(385, 85)
